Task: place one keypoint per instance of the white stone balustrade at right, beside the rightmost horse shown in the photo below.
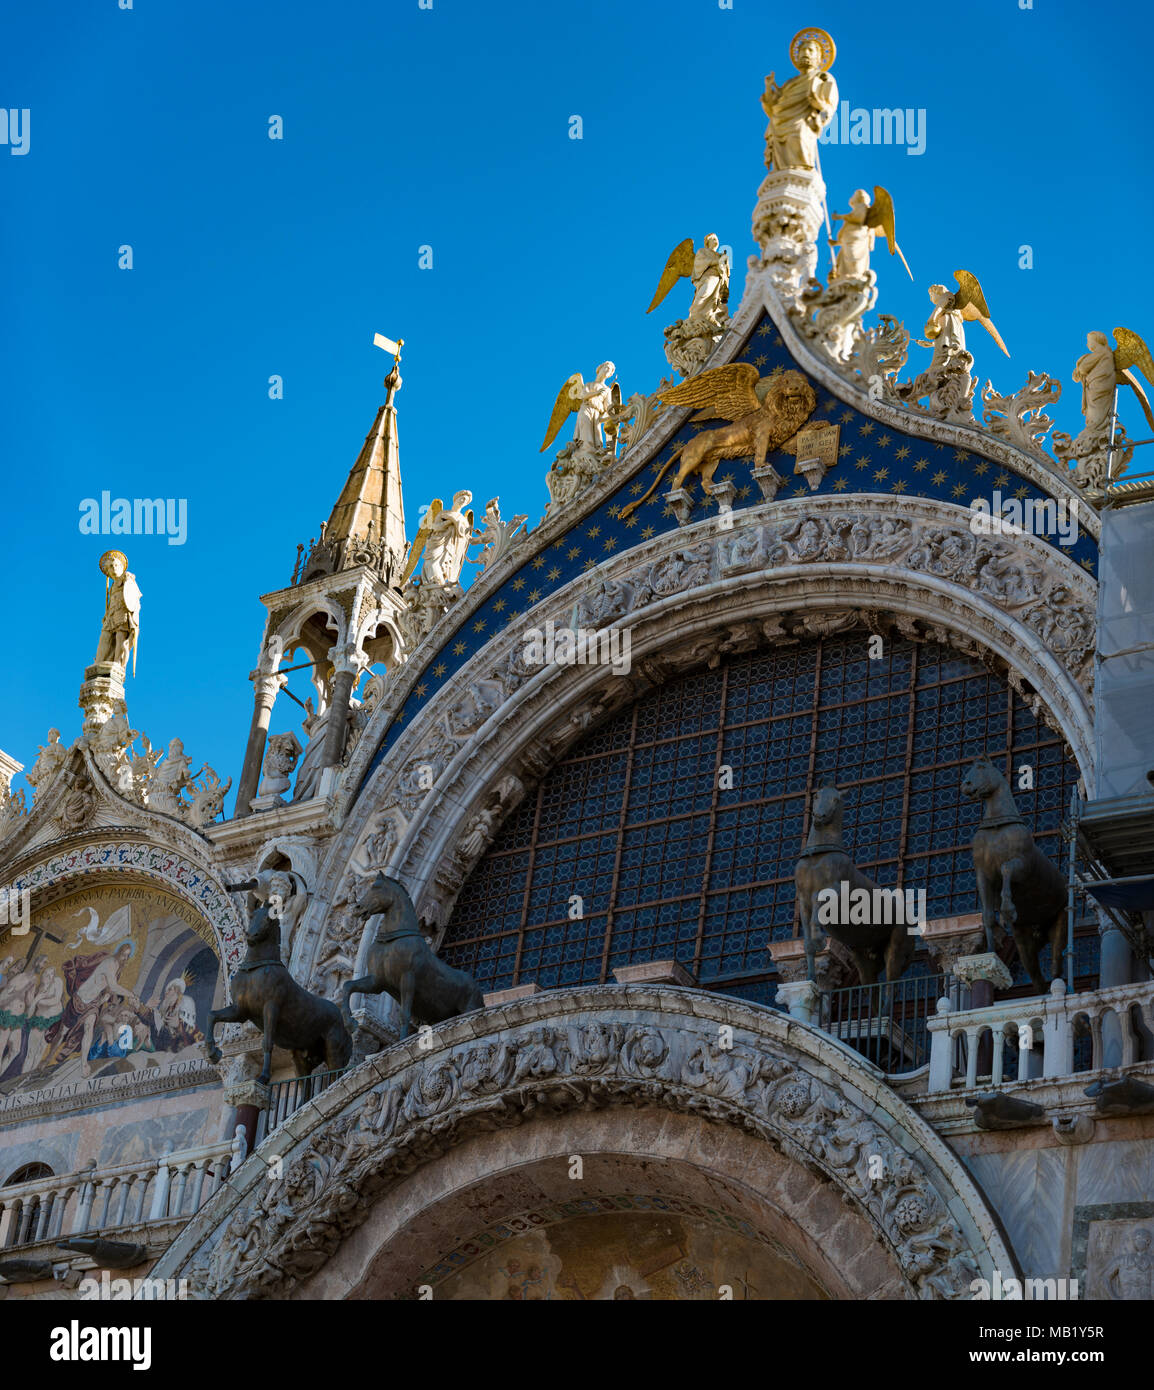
(1042, 1029)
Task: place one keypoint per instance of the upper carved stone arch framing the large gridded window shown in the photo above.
(909, 566)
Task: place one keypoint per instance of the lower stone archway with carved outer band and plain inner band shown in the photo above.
(671, 1093)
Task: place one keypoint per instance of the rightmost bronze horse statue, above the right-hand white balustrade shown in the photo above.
(1017, 883)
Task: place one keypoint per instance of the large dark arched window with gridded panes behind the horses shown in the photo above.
(669, 862)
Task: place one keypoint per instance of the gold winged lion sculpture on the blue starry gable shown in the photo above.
(767, 412)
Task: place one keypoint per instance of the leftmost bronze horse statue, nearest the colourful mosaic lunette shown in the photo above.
(266, 995)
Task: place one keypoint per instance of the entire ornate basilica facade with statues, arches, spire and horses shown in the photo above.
(764, 646)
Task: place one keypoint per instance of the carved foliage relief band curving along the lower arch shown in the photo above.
(288, 1229)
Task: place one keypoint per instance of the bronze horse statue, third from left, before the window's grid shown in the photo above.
(825, 864)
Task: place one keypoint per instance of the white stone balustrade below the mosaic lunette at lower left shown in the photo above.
(102, 1200)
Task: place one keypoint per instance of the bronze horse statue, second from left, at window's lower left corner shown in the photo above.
(403, 965)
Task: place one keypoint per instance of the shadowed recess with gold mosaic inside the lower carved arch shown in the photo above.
(717, 1204)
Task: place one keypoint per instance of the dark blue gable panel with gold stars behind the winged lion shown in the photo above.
(874, 458)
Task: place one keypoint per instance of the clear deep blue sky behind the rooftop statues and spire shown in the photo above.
(450, 129)
